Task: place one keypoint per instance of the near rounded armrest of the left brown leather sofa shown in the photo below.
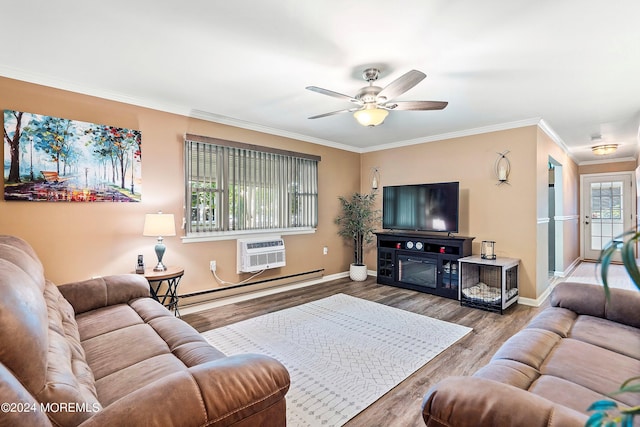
(223, 392)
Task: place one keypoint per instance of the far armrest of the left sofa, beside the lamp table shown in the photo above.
(104, 291)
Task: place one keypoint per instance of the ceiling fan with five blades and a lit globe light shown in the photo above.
(374, 103)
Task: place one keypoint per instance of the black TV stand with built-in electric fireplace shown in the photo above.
(421, 261)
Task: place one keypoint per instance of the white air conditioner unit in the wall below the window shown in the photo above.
(260, 254)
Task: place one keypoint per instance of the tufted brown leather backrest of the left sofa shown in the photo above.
(41, 344)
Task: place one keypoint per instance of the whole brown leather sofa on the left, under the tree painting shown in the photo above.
(103, 353)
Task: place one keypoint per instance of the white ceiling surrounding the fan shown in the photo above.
(575, 64)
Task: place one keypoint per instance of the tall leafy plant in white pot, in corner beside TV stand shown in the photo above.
(357, 223)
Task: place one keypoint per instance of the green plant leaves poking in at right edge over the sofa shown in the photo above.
(608, 412)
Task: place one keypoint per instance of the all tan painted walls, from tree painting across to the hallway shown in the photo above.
(77, 241)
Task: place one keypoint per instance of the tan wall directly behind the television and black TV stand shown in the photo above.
(505, 213)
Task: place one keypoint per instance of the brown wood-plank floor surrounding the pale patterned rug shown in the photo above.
(402, 405)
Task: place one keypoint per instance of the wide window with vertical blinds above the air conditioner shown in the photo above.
(234, 188)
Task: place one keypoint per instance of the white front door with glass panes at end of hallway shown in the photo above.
(606, 210)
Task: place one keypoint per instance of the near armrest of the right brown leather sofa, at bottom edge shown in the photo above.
(479, 402)
